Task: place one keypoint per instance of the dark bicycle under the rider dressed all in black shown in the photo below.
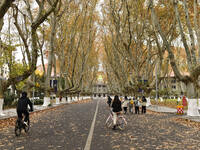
(19, 125)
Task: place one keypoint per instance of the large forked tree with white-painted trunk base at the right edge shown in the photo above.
(191, 89)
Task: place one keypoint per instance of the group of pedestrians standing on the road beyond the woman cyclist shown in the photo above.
(128, 104)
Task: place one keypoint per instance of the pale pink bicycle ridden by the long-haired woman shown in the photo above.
(121, 121)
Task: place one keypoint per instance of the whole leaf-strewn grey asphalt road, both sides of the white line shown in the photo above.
(68, 127)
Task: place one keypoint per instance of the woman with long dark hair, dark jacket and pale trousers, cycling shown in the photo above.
(116, 105)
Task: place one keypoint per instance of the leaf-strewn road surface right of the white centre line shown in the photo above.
(148, 132)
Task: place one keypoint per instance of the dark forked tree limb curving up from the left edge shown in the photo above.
(44, 10)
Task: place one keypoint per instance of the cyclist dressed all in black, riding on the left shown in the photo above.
(22, 107)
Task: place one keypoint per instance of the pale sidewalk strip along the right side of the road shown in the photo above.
(164, 109)
